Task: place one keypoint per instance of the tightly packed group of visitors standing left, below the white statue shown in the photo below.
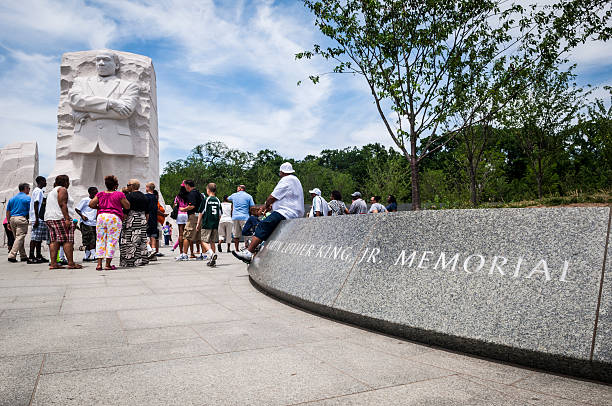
(127, 222)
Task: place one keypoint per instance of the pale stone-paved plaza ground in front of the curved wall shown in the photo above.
(184, 334)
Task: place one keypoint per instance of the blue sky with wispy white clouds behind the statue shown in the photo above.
(225, 72)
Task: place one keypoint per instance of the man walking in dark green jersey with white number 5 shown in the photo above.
(208, 220)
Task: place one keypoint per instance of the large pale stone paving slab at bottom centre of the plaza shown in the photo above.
(262, 377)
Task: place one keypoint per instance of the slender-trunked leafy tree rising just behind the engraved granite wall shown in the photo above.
(411, 53)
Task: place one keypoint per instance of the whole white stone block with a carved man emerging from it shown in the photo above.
(107, 119)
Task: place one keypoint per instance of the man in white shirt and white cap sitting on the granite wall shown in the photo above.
(286, 202)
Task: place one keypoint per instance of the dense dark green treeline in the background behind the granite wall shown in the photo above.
(482, 164)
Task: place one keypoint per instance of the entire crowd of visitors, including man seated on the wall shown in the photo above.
(131, 222)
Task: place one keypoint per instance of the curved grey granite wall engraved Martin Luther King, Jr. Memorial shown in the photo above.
(530, 286)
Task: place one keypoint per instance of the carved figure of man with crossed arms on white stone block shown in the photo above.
(102, 106)
